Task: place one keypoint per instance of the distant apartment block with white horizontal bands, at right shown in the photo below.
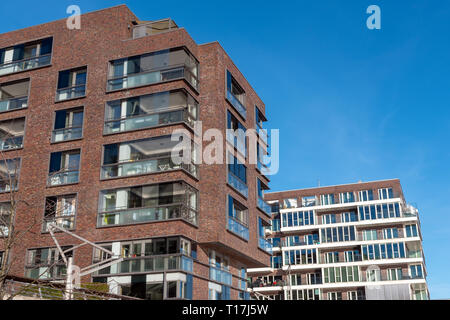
(346, 242)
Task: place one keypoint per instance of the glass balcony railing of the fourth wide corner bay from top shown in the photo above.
(148, 214)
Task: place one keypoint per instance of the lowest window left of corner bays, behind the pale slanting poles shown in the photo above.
(47, 263)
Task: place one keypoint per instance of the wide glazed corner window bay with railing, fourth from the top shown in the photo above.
(149, 203)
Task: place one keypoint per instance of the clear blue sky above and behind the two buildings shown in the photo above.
(351, 103)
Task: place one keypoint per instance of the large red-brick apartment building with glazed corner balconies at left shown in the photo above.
(86, 118)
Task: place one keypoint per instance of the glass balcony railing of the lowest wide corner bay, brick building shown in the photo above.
(149, 264)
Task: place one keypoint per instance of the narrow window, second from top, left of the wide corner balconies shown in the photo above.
(68, 125)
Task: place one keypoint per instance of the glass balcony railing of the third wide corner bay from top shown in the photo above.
(147, 166)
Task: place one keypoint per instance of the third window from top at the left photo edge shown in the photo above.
(11, 134)
